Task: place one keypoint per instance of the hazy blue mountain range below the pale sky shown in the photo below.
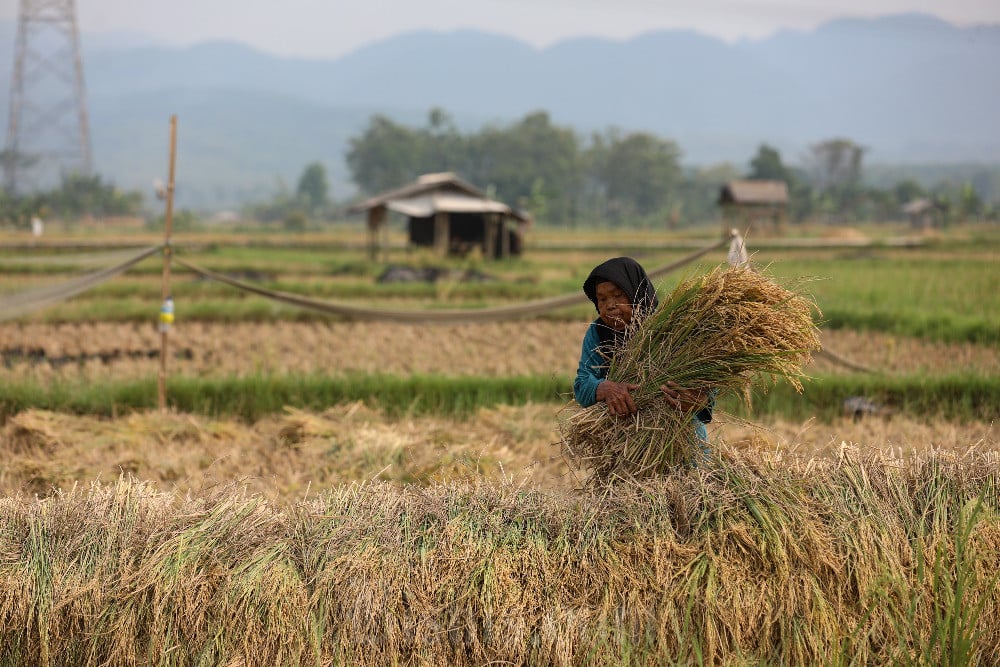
(911, 88)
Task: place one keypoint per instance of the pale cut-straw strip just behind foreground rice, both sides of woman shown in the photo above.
(287, 455)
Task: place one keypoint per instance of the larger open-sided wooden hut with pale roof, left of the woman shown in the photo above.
(448, 214)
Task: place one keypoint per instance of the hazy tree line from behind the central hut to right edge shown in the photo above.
(635, 178)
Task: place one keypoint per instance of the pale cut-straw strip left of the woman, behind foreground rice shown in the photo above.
(280, 457)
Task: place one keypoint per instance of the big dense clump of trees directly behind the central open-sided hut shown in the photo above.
(530, 163)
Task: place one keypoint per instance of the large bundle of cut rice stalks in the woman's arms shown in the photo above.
(721, 333)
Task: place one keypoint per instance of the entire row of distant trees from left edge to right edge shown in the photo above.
(560, 177)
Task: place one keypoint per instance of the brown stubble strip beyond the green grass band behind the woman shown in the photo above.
(122, 350)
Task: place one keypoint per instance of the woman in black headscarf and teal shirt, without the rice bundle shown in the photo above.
(622, 293)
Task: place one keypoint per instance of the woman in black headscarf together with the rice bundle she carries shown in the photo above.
(721, 332)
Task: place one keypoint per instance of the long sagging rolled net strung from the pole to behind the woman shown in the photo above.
(494, 314)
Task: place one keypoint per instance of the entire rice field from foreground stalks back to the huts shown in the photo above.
(329, 491)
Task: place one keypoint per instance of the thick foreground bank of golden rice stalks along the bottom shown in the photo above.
(746, 560)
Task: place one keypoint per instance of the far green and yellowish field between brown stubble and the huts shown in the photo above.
(940, 292)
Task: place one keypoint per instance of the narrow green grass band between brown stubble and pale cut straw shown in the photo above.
(251, 397)
